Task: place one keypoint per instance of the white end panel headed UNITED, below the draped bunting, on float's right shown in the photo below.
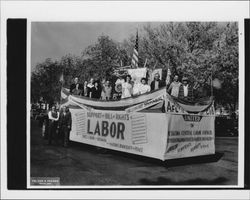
(189, 135)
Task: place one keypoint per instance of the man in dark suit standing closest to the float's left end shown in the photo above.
(65, 122)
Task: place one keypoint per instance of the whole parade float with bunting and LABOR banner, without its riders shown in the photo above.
(154, 124)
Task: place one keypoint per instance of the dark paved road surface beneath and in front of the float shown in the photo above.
(85, 165)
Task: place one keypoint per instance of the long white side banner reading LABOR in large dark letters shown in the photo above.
(137, 133)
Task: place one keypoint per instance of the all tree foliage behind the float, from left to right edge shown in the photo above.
(193, 49)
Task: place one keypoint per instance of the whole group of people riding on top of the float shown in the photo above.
(126, 87)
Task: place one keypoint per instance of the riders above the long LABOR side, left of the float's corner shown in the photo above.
(122, 88)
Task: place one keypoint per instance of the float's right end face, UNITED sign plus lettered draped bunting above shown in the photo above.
(189, 134)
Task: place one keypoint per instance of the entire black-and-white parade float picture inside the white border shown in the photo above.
(104, 95)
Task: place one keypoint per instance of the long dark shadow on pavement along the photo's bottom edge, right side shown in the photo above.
(197, 181)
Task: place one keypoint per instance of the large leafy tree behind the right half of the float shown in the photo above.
(196, 50)
